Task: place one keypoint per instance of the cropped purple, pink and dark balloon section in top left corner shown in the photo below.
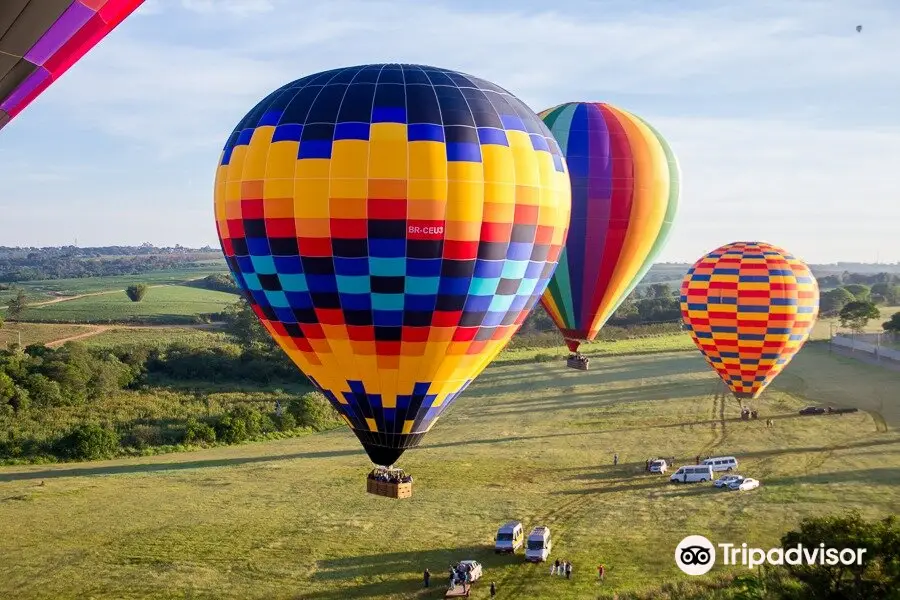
(41, 39)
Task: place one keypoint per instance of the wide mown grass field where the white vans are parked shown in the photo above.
(532, 441)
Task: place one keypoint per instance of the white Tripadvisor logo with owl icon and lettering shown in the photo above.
(696, 555)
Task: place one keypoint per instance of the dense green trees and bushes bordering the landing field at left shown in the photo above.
(38, 384)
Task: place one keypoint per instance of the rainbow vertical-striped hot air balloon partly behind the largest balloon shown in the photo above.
(625, 188)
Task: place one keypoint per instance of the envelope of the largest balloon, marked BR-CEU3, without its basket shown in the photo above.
(392, 226)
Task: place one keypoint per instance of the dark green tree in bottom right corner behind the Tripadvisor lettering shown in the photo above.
(877, 577)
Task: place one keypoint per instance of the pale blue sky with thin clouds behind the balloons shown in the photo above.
(784, 118)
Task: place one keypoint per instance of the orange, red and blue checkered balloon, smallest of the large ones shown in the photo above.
(749, 307)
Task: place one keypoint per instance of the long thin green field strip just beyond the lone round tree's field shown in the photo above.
(42, 290)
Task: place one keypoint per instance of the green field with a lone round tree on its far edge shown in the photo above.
(165, 304)
